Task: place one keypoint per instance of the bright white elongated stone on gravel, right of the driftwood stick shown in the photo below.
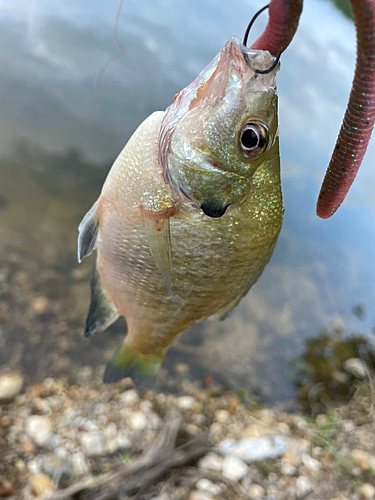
(254, 449)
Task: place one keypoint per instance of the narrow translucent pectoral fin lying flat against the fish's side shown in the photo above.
(159, 239)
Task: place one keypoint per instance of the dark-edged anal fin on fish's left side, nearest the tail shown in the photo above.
(102, 312)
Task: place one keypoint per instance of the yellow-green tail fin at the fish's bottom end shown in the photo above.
(142, 368)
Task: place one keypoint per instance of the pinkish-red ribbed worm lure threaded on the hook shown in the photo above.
(359, 118)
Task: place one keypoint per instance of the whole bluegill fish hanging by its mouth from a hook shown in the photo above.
(190, 212)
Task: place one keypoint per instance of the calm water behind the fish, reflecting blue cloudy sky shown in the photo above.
(59, 135)
